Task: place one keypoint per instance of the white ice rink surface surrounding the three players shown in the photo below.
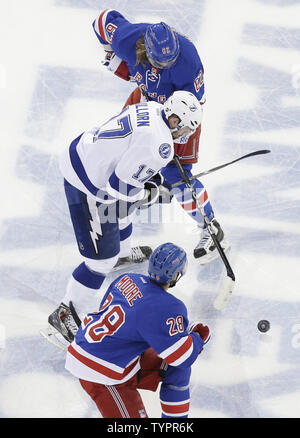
(53, 87)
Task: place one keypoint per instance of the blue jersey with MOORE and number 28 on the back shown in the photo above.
(135, 314)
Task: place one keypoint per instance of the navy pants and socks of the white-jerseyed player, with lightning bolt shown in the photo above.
(101, 238)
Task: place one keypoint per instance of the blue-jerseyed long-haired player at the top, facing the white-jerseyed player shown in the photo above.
(160, 61)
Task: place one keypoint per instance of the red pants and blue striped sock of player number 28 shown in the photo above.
(125, 401)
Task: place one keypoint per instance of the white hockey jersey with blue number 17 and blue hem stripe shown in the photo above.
(114, 160)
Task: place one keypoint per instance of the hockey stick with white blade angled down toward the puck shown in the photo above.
(223, 297)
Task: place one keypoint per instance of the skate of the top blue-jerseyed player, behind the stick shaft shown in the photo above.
(206, 250)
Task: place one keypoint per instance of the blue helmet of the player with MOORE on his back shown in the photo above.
(165, 262)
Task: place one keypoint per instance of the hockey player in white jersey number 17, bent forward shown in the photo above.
(108, 171)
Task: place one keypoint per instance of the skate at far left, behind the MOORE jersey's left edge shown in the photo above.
(63, 325)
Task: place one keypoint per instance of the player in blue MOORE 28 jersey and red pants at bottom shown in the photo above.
(140, 337)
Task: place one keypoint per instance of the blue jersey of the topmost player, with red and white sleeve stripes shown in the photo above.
(118, 34)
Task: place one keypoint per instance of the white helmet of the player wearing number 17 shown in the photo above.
(187, 107)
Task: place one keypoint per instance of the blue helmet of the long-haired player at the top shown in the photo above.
(162, 45)
